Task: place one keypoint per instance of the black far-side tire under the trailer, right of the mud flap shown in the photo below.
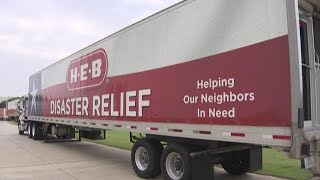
(237, 163)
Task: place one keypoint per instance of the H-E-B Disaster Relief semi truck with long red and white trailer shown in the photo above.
(213, 80)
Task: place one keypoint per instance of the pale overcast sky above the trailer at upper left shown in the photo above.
(35, 34)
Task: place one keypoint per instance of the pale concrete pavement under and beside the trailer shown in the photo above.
(24, 158)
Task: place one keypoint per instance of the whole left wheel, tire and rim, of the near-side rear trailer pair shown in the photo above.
(145, 158)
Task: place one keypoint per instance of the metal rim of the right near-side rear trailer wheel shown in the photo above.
(174, 166)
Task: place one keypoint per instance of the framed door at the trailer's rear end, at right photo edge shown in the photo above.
(310, 68)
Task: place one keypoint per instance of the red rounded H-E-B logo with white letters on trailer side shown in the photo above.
(87, 71)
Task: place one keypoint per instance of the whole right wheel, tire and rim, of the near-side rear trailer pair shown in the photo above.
(175, 162)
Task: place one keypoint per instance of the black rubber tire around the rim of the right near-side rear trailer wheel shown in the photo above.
(184, 152)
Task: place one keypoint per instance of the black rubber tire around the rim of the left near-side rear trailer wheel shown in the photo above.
(154, 150)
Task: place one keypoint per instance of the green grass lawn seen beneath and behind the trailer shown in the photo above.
(274, 163)
